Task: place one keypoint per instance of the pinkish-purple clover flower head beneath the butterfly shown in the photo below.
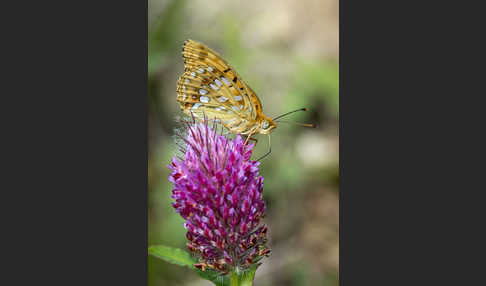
(218, 191)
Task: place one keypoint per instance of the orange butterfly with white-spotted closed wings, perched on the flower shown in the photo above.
(211, 88)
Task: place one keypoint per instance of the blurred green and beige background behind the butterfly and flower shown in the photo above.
(287, 51)
